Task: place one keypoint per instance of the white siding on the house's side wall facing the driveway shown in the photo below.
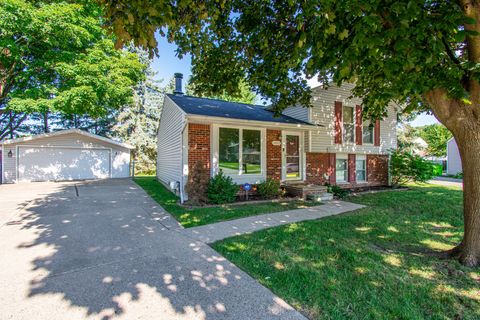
(169, 143)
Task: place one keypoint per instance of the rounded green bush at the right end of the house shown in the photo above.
(406, 167)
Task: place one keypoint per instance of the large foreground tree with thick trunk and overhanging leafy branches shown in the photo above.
(422, 54)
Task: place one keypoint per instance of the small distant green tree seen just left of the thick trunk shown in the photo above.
(437, 136)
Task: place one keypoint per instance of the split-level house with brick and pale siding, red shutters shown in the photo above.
(328, 143)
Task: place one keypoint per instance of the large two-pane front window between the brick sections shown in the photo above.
(239, 151)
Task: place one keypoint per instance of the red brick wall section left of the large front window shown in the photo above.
(198, 144)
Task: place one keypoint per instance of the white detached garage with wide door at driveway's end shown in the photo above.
(64, 155)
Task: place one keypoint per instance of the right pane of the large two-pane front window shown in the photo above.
(251, 152)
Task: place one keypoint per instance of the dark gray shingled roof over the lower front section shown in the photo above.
(231, 110)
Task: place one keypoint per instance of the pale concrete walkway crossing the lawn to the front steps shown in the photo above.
(218, 231)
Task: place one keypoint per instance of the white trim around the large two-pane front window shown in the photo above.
(240, 177)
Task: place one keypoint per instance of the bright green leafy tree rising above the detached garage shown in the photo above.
(55, 57)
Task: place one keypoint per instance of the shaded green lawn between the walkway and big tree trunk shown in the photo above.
(375, 263)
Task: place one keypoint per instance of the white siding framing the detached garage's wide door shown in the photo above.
(120, 156)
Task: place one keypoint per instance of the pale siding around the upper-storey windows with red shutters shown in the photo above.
(322, 139)
